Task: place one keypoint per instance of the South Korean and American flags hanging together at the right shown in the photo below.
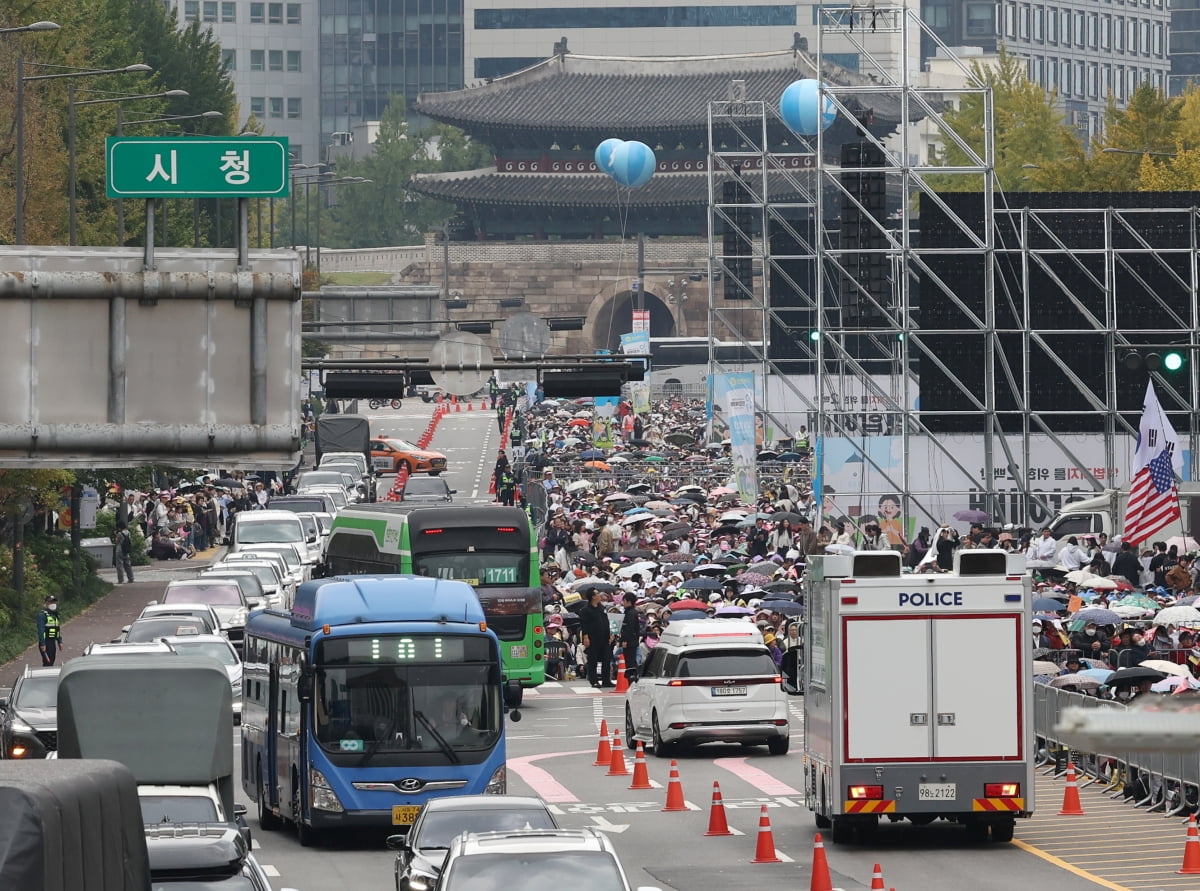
(1154, 498)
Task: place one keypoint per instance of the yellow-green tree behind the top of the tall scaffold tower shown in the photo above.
(1029, 130)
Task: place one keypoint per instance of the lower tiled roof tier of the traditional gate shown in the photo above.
(488, 187)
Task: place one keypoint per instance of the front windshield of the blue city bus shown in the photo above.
(400, 708)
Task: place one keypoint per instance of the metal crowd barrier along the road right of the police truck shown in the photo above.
(1162, 782)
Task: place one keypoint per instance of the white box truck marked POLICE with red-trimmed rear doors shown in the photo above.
(919, 693)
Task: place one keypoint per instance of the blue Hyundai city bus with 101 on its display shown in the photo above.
(359, 704)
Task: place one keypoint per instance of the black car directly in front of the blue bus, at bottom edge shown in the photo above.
(422, 853)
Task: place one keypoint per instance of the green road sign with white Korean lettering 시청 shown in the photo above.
(197, 168)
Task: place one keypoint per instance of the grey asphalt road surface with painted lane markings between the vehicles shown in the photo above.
(551, 754)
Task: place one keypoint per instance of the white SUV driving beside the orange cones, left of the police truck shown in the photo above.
(709, 680)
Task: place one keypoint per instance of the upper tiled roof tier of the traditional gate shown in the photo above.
(608, 94)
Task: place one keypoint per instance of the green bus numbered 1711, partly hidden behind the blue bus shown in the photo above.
(491, 548)
